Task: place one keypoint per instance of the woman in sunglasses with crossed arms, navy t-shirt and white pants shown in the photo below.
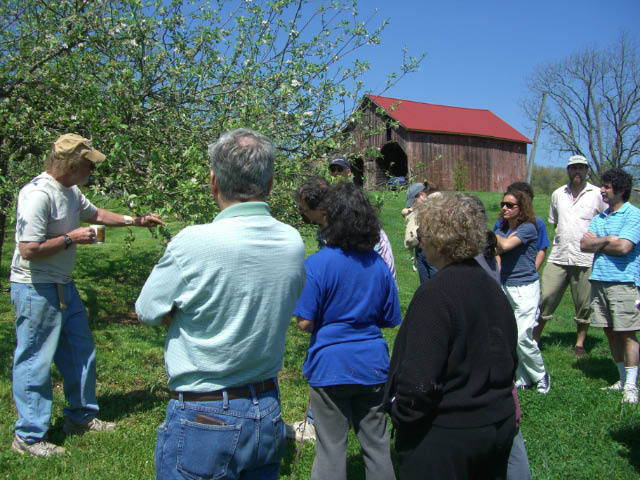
(517, 246)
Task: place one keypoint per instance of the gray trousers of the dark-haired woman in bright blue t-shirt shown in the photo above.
(335, 409)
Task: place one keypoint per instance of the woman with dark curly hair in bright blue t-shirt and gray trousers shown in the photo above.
(348, 297)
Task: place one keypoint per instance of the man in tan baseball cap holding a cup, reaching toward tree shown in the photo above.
(51, 321)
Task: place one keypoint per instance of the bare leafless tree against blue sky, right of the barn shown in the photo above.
(593, 104)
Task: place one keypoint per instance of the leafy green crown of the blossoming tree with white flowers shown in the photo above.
(153, 82)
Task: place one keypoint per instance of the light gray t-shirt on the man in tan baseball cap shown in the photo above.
(47, 209)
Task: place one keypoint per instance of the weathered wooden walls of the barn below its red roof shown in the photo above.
(490, 164)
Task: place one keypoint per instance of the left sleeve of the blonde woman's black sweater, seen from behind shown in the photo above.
(419, 360)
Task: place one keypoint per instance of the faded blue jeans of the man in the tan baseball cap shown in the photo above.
(46, 332)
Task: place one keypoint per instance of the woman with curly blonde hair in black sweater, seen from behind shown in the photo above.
(451, 374)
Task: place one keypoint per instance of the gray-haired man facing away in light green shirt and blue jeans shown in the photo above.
(226, 290)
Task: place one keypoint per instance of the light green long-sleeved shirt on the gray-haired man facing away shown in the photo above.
(232, 286)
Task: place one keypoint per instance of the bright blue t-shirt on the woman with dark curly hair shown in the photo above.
(348, 296)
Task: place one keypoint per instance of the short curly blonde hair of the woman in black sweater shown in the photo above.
(454, 225)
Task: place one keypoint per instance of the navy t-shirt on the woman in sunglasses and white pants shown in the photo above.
(518, 266)
